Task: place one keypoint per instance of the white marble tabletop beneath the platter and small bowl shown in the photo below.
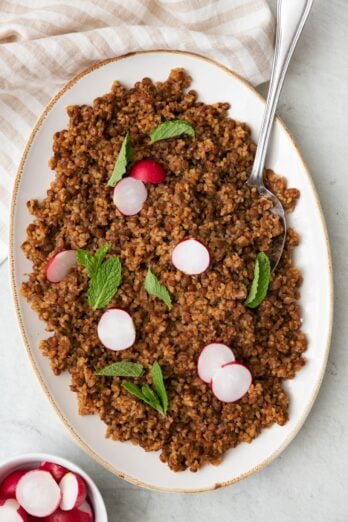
(308, 482)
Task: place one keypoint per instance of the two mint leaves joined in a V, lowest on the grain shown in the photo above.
(158, 398)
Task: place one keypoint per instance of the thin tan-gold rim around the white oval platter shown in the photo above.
(67, 424)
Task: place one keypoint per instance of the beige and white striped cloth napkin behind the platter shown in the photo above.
(43, 43)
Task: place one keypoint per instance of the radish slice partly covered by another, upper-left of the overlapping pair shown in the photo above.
(211, 358)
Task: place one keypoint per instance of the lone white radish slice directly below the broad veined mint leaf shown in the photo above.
(116, 329)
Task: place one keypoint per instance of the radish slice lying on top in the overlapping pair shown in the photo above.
(231, 382)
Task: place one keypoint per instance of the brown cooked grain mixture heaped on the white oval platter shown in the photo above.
(204, 196)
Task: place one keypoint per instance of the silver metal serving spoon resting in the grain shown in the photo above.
(291, 17)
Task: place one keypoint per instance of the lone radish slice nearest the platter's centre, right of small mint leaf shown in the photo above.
(191, 257)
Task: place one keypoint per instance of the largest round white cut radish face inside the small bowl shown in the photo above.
(38, 493)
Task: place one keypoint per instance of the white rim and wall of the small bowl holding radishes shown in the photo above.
(33, 460)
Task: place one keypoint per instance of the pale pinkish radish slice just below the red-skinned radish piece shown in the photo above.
(129, 196)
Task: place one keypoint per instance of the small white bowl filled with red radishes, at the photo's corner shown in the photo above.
(39, 487)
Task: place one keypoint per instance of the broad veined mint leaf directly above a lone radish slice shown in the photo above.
(104, 283)
